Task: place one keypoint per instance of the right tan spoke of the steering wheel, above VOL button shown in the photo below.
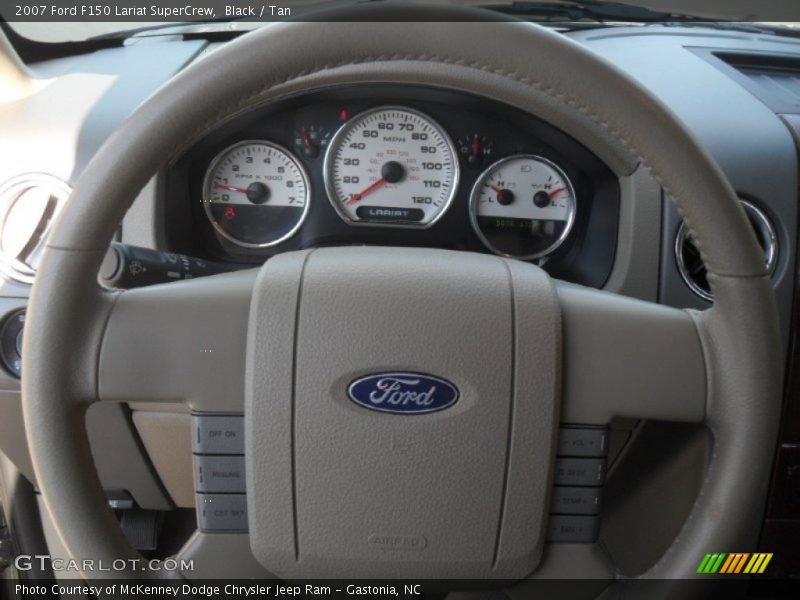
(629, 358)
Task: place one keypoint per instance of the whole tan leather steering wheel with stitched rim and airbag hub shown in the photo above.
(468, 487)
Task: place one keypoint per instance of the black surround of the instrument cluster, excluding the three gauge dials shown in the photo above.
(586, 257)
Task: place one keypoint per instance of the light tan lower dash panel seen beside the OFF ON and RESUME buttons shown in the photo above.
(167, 437)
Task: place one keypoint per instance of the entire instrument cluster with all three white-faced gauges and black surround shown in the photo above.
(394, 165)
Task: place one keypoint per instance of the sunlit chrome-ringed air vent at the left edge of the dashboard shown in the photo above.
(28, 206)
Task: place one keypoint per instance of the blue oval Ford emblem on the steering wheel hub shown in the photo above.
(403, 393)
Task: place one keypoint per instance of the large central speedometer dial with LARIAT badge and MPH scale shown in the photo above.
(391, 166)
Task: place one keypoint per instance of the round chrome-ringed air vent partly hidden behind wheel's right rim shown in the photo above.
(691, 266)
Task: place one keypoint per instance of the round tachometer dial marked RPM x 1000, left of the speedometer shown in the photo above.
(256, 194)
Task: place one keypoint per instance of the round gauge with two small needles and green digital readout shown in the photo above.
(523, 206)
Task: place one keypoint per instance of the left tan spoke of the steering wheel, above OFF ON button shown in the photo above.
(181, 341)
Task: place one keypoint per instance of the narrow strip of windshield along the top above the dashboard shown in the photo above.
(51, 23)
